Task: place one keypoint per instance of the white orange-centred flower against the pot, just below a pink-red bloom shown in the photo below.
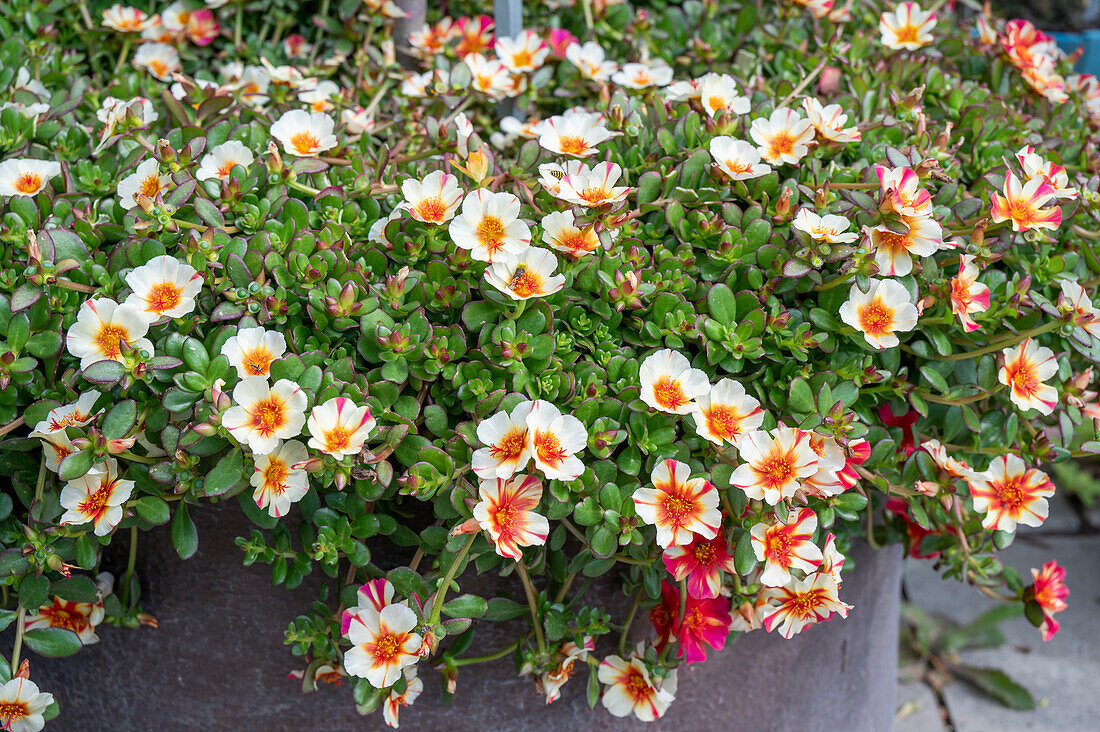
(383, 646)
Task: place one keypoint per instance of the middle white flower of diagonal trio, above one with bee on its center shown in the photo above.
(490, 226)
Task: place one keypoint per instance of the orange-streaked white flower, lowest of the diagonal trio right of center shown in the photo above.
(775, 464)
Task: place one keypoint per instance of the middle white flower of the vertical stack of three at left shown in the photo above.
(262, 416)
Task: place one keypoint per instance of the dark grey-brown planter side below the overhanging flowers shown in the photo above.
(218, 662)
